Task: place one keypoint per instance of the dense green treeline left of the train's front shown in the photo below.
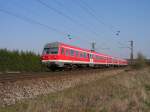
(19, 61)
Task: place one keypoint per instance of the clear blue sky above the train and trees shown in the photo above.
(30, 24)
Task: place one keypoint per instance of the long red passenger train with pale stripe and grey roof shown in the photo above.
(60, 55)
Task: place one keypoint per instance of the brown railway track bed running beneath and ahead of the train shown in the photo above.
(54, 75)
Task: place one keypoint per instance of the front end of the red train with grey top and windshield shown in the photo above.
(50, 55)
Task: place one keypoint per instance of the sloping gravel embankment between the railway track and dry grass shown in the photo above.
(16, 90)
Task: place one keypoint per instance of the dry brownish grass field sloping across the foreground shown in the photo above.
(128, 91)
